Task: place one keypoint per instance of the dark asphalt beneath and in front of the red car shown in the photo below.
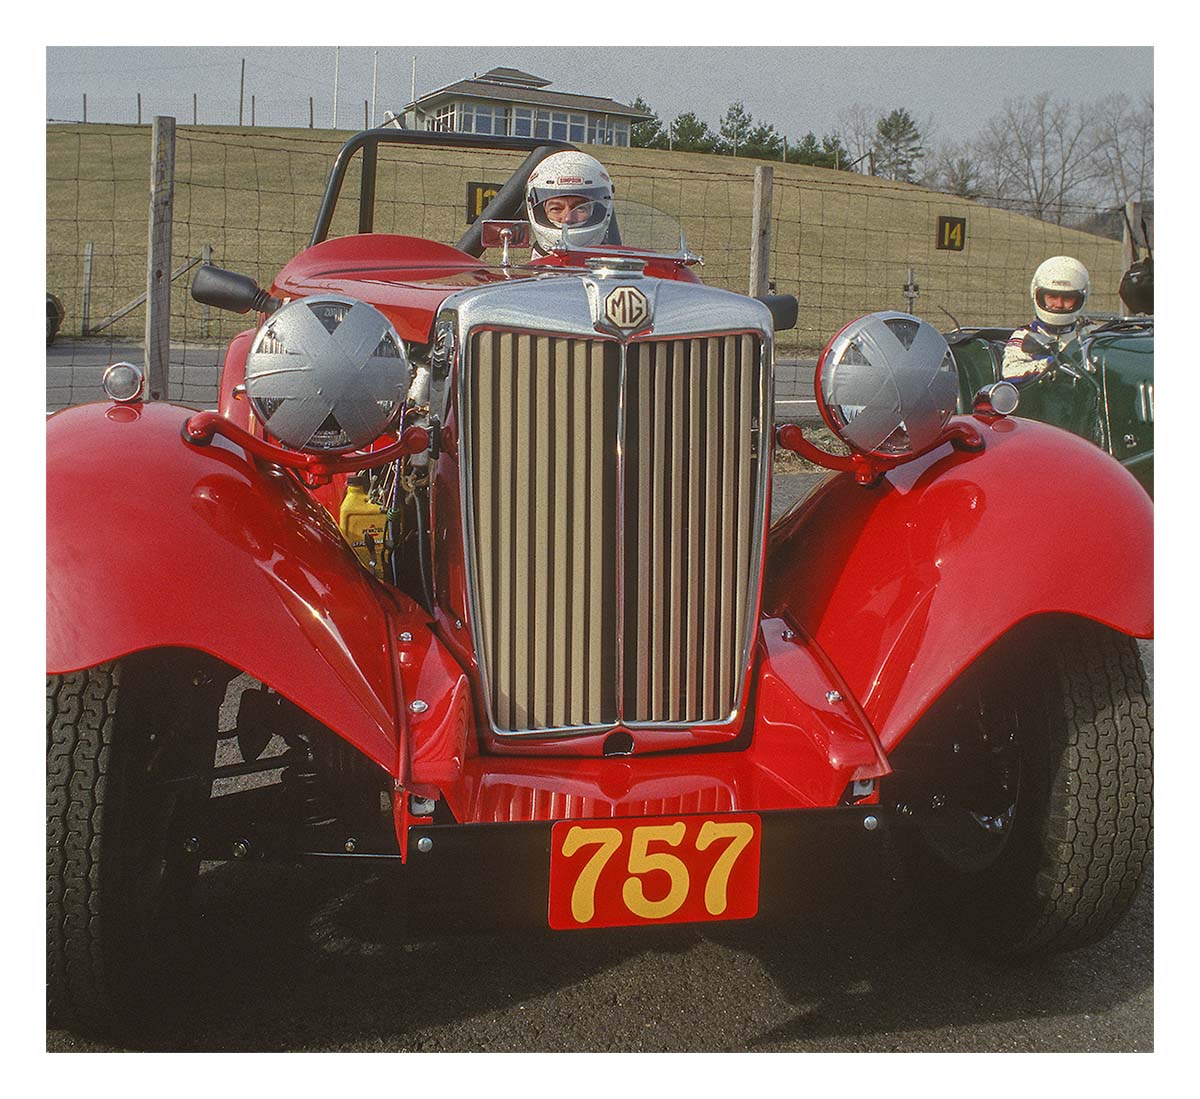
(308, 959)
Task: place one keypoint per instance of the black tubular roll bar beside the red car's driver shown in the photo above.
(506, 203)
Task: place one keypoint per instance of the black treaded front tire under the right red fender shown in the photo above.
(1073, 756)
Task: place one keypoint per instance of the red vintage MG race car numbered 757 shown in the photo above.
(490, 542)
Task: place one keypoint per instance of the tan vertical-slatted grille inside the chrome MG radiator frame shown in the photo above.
(614, 514)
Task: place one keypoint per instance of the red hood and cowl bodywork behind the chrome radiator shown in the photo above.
(409, 278)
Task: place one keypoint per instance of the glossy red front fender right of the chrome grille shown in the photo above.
(904, 585)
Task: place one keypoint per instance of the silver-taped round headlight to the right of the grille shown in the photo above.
(887, 385)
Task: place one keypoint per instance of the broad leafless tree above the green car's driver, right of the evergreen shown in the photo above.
(1041, 155)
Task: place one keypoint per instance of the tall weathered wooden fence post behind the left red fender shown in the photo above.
(163, 184)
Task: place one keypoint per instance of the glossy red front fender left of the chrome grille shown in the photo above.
(155, 543)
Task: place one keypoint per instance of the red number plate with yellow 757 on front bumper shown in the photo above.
(653, 870)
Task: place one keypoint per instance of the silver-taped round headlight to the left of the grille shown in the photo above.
(327, 374)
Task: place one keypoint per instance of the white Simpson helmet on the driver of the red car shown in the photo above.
(560, 178)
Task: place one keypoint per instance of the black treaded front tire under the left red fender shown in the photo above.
(129, 755)
